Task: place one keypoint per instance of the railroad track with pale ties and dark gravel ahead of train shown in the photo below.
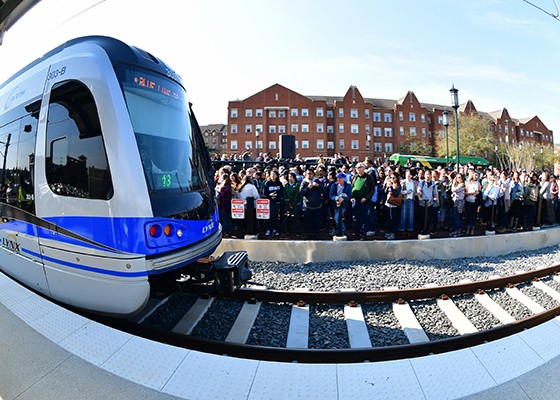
(371, 325)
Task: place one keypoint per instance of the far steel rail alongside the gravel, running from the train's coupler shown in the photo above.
(386, 296)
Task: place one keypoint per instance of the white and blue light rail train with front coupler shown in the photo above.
(105, 181)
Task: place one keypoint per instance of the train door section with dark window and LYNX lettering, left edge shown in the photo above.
(19, 239)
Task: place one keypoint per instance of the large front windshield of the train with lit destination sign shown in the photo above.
(170, 152)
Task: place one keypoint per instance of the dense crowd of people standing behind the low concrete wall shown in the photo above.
(371, 199)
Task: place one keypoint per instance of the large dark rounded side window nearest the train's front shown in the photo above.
(76, 159)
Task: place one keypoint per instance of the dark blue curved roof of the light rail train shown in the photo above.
(116, 50)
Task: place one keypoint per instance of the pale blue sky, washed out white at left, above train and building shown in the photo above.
(498, 53)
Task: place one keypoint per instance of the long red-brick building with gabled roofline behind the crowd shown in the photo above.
(354, 125)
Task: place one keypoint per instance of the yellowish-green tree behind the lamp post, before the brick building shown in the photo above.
(475, 138)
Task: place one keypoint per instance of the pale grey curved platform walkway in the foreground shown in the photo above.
(47, 352)
